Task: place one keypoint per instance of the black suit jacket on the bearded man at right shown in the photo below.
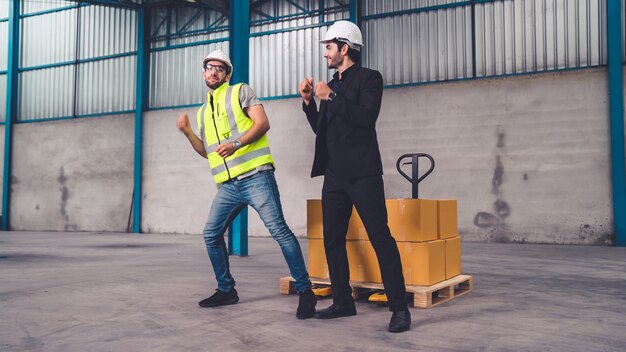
(345, 128)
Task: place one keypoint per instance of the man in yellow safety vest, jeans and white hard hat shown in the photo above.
(233, 126)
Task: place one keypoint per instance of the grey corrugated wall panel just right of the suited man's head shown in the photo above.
(436, 47)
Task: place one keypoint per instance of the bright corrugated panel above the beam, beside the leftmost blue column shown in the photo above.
(48, 38)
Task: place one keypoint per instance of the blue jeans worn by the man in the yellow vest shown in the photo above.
(261, 192)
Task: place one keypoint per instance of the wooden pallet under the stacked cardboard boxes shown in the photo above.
(423, 296)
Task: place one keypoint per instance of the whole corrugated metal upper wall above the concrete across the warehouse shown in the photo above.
(445, 40)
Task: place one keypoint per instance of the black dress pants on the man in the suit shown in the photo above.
(367, 194)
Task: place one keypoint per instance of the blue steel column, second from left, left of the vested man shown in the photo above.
(140, 105)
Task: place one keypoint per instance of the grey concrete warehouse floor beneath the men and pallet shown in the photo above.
(121, 292)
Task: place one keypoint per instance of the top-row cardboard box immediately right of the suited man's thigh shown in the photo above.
(412, 220)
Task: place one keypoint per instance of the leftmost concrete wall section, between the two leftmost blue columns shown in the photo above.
(73, 175)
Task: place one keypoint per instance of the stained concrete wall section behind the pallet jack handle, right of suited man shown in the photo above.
(527, 157)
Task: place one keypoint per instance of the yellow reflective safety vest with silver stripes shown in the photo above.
(222, 120)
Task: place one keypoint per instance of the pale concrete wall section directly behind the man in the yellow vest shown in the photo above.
(178, 186)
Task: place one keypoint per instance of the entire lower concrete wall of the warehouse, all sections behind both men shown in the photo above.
(527, 157)
